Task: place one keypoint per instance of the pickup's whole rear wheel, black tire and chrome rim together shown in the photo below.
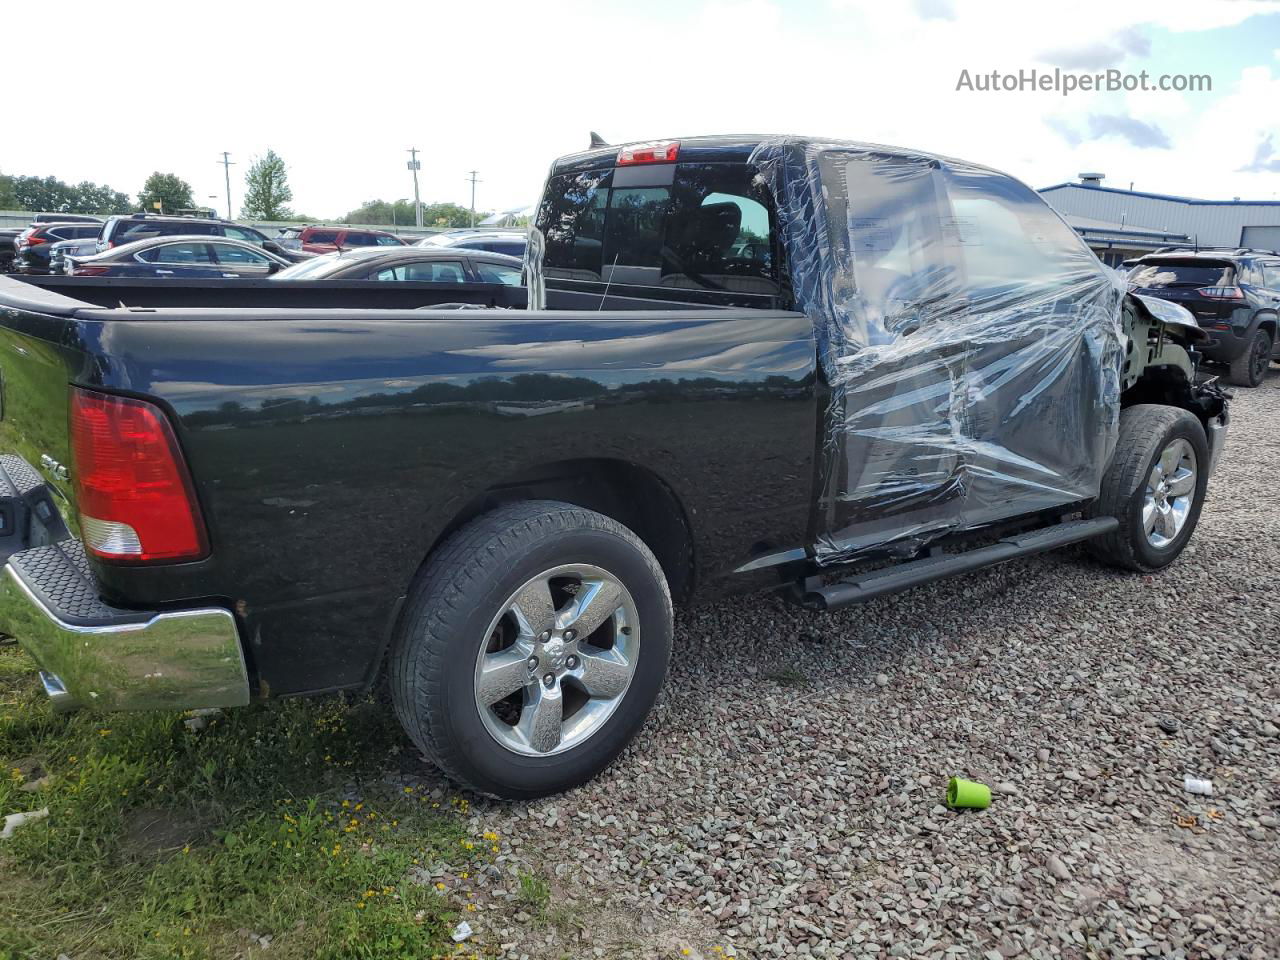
(532, 650)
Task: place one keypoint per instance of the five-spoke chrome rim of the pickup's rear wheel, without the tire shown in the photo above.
(557, 660)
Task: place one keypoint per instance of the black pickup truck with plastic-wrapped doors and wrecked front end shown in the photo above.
(829, 369)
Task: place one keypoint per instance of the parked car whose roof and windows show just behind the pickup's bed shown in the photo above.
(408, 264)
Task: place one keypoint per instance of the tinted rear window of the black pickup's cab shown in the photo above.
(712, 227)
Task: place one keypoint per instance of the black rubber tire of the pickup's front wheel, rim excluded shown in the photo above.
(1146, 432)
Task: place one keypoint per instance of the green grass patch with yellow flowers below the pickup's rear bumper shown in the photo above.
(166, 843)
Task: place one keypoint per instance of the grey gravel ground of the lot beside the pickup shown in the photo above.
(787, 798)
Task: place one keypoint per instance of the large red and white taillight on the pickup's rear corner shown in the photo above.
(132, 487)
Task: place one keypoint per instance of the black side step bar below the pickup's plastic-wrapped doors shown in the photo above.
(904, 577)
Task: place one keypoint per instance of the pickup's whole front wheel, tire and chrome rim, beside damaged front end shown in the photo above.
(1155, 487)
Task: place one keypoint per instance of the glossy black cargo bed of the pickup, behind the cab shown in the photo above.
(332, 446)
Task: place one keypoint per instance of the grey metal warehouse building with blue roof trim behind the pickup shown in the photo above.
(1123, 223)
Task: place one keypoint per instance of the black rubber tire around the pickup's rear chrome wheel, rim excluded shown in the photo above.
(458, 595)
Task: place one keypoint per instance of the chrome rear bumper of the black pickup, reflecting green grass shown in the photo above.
(93, 655)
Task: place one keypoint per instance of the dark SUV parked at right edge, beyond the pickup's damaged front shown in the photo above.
(1235, 295)
